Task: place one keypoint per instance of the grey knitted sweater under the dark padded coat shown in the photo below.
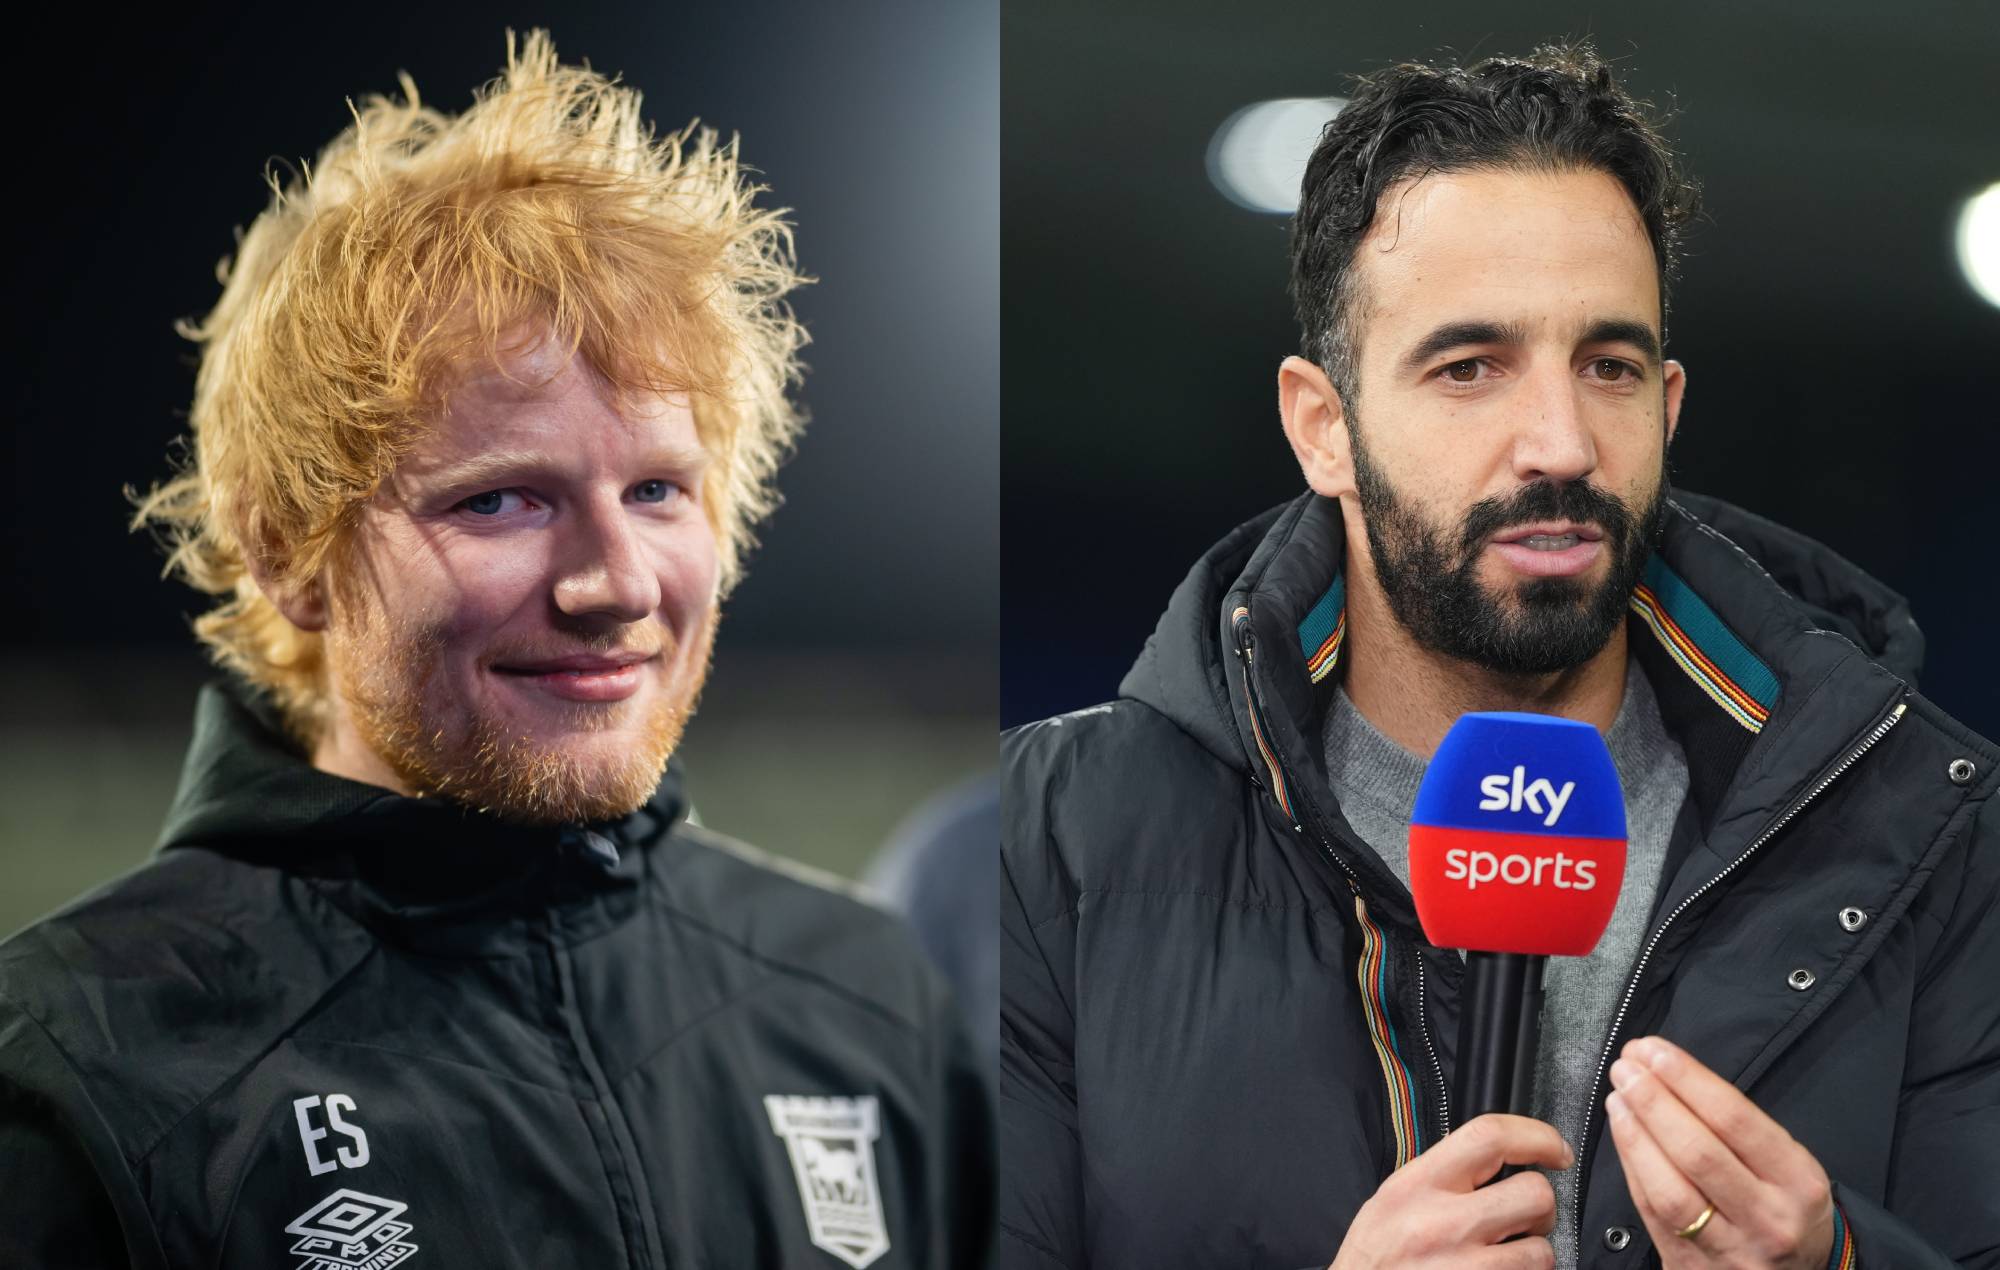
(1377, 781)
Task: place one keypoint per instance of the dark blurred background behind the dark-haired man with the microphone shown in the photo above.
(1841, 373)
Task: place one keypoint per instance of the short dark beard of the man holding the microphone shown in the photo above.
(1437, 593)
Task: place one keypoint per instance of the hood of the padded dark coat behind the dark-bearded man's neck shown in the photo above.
(1183, 669)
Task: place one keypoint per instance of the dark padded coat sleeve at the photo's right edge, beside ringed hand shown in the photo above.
(1943, 1205)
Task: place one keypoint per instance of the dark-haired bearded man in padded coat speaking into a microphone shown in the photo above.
(1225, 1037)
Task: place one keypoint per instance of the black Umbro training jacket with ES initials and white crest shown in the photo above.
(329, 1027)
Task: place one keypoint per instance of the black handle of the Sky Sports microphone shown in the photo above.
(1499, 1035)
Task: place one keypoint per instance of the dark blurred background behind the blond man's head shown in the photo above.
(857, 665)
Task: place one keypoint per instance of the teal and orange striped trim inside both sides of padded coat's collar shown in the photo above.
(1711, 655)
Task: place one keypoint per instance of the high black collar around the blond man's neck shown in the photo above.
(413, 869)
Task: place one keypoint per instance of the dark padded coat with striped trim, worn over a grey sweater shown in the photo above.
(1223, 1025)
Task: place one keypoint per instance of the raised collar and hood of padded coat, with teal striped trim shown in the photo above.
(1767, 653)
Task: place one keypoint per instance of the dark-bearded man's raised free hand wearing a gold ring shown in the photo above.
(1691, 1139)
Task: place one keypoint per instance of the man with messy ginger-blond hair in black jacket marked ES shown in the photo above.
(431, 957)
